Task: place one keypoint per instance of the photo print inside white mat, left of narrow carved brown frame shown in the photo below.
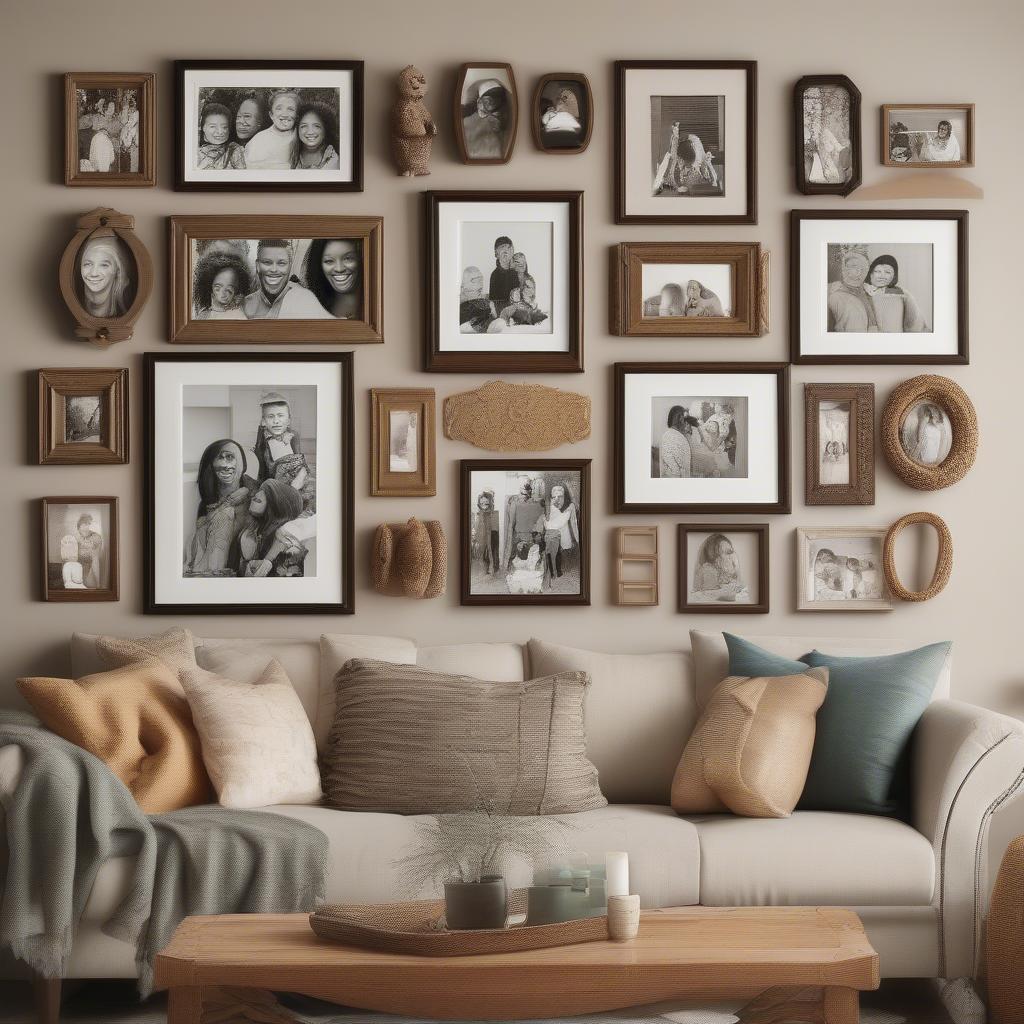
(699, 437)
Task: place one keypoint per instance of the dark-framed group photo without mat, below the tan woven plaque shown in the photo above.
(525, 532)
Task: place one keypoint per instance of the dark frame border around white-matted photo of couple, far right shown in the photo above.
(962, 357)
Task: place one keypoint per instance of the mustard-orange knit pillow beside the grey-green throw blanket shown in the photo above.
(136, 720)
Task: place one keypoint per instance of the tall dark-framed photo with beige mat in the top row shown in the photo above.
(687, 142)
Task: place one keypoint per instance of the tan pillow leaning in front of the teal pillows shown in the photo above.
(752, 747)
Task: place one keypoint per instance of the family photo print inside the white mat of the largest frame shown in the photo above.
(249, 481)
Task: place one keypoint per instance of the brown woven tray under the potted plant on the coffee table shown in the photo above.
(418, 929)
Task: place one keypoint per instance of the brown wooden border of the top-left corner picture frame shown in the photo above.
(146, 177)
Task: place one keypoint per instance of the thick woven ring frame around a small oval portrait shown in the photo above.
(963, 422)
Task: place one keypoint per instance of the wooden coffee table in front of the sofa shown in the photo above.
(806, 964)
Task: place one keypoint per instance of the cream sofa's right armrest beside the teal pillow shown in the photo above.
(968, 764)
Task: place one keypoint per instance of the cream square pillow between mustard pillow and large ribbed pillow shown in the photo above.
(258, 743)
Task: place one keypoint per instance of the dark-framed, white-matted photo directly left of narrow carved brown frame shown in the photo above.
(695, 438)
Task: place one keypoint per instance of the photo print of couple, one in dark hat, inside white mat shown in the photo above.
(880, 288)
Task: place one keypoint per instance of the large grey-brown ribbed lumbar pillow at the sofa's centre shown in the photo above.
(409, 741)
